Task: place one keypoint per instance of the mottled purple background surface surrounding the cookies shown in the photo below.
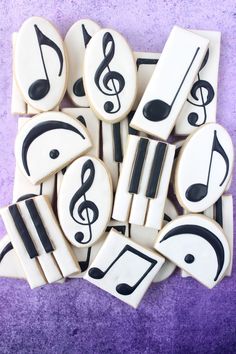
(176, 316)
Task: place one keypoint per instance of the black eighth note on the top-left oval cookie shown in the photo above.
(40, 88)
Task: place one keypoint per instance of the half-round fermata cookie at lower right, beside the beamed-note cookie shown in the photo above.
(196, 244)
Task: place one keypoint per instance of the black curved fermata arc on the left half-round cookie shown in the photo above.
(40, 129)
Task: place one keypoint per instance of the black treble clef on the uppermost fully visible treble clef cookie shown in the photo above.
(117, 80)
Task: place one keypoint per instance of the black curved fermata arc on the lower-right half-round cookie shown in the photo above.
(206, 235)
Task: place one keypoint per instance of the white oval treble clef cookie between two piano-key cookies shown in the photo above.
(85, 201)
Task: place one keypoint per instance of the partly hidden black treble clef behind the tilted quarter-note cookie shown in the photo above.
(199, 85)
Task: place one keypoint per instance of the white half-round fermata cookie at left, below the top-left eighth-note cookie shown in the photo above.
(47, 143)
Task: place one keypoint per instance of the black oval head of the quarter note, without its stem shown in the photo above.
(156, 110)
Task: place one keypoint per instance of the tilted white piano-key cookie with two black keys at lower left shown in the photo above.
(38, 241)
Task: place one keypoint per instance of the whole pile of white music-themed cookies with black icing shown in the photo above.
(92, 180)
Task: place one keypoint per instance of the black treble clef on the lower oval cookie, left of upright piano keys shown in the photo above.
(88, 206)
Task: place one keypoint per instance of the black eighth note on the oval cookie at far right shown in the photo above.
(198, 191)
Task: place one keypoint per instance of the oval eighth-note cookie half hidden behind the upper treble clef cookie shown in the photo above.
(76, 41)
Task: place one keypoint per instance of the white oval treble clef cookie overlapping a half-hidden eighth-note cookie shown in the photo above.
(110, 77)
